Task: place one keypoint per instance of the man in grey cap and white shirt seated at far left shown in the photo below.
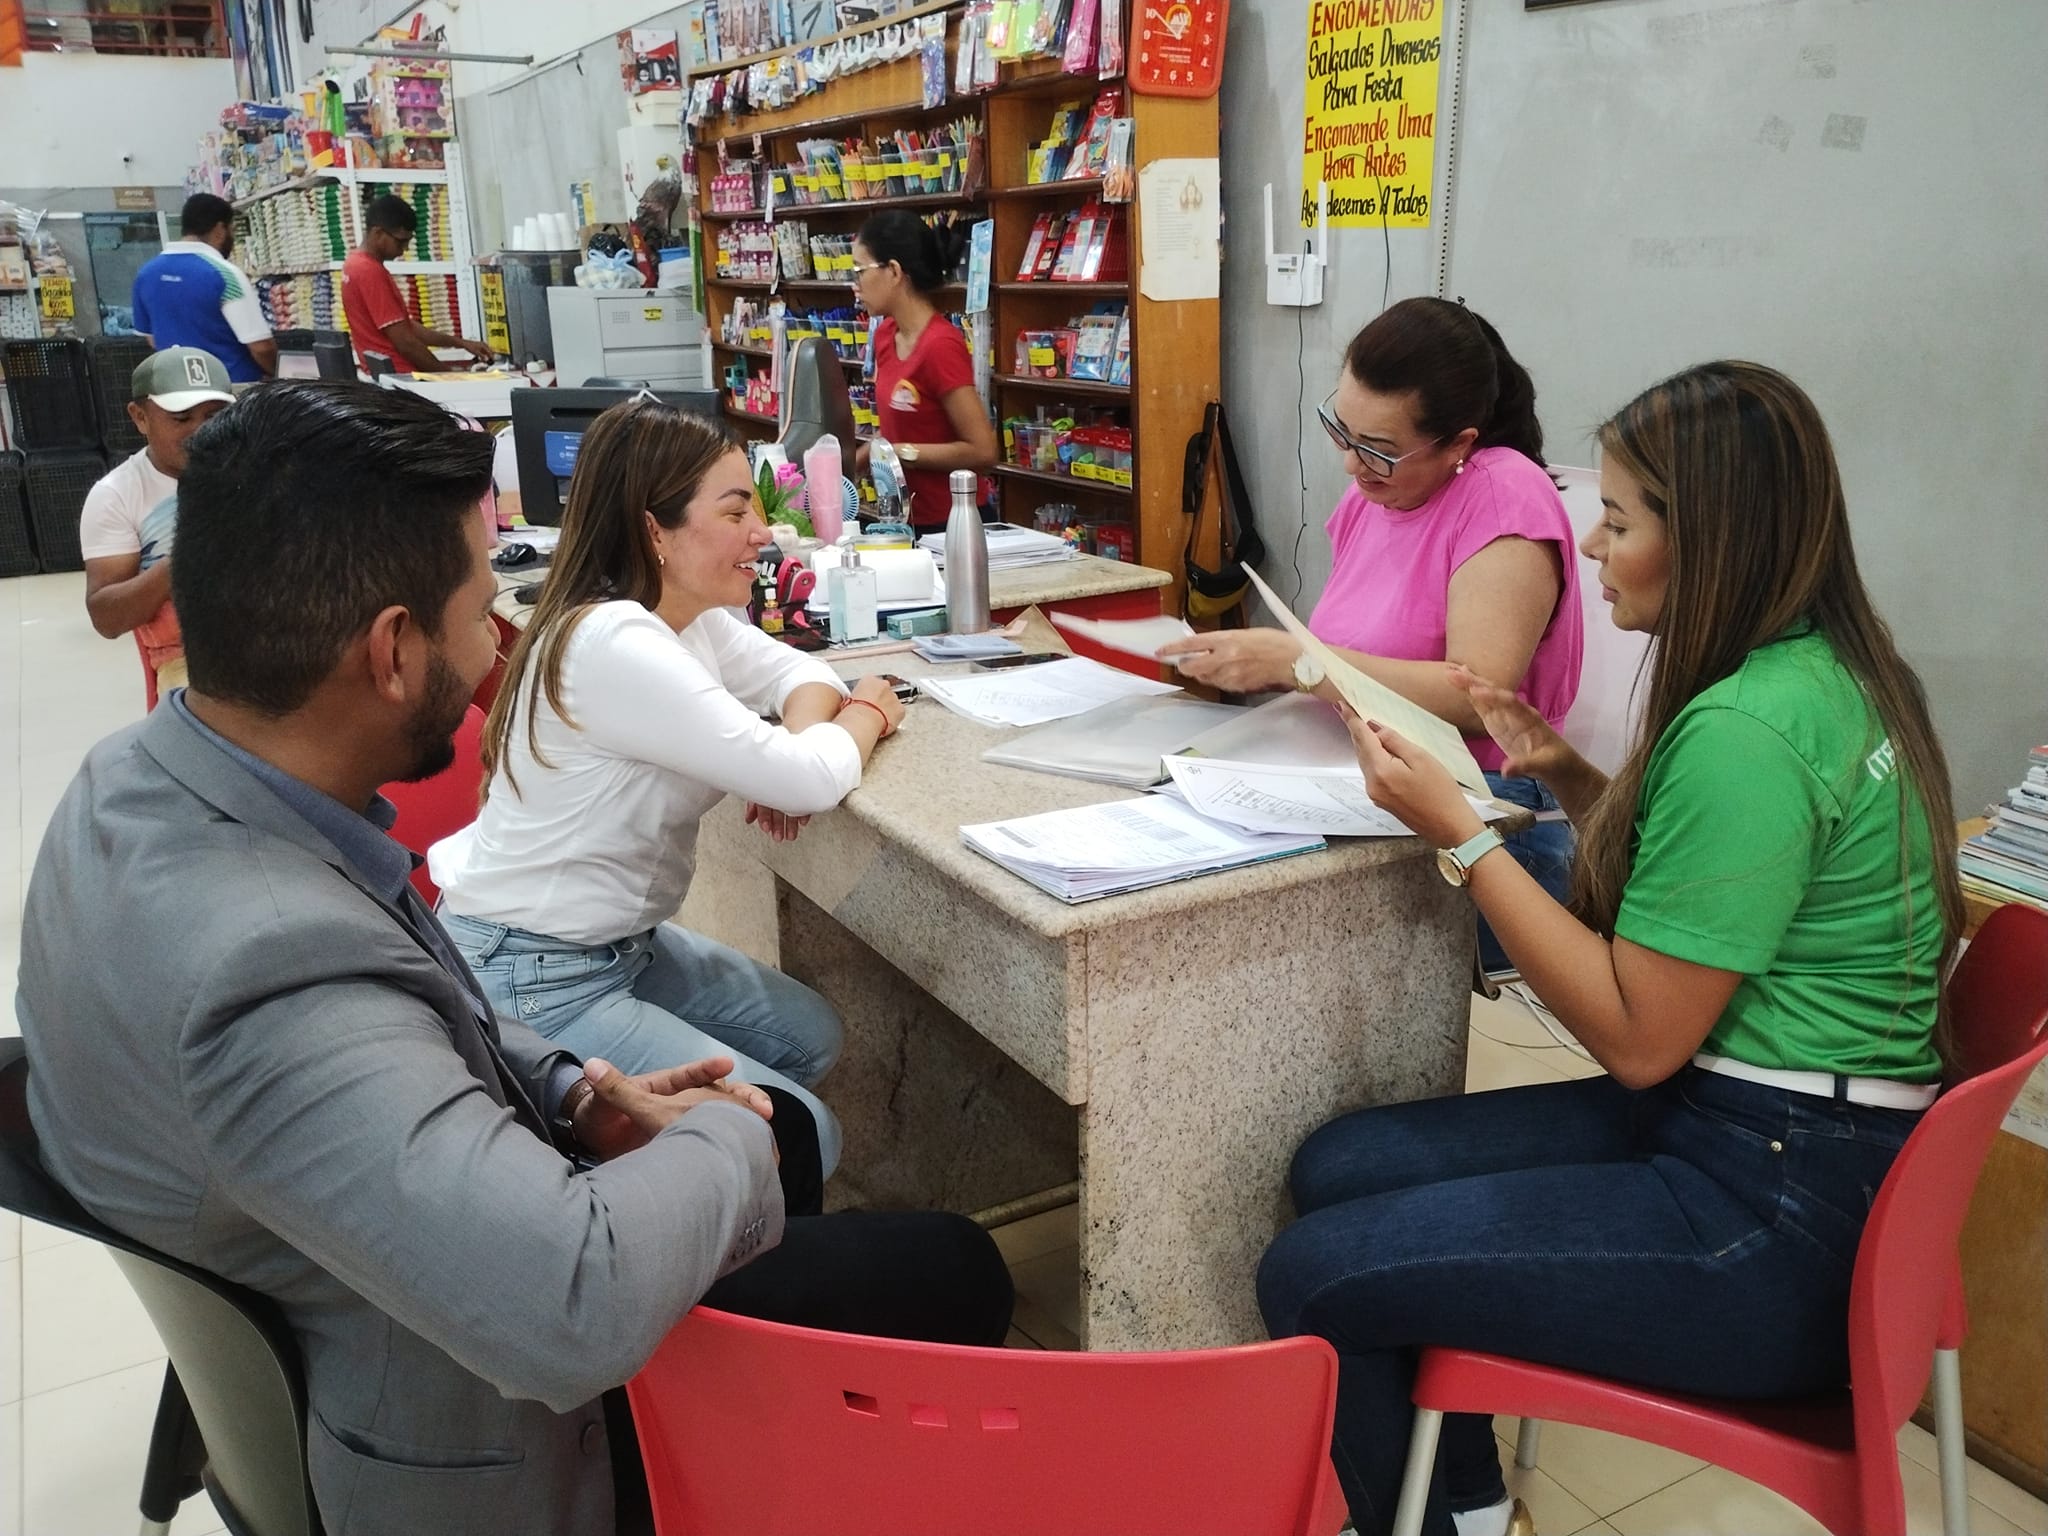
(128, 523)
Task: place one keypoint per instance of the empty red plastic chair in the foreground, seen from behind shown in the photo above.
(765, 1431)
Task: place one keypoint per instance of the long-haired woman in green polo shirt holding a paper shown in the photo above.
(1762, 914)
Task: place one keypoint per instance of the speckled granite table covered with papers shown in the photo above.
(1168, 1050)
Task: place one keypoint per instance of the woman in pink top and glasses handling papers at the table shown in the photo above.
(1449, 546)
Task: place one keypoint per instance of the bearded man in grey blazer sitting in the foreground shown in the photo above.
(255, 1050)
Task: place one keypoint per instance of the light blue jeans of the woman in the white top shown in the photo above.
(658, 1000)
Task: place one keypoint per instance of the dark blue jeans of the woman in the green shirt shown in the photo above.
(1693, 1238)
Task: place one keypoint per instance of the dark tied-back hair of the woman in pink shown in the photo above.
(1457, 368)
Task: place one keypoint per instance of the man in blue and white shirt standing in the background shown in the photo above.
(194, 296)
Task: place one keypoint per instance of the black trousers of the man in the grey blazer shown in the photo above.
(892, 1275)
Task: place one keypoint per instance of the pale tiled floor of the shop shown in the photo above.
(81, 1365)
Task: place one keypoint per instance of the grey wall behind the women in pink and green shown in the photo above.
(1652, 183)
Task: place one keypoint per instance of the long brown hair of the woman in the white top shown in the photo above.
(636, 458)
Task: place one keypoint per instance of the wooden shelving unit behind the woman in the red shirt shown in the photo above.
(1175, 347)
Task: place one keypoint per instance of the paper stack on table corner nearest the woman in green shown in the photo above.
(1097, 851)
